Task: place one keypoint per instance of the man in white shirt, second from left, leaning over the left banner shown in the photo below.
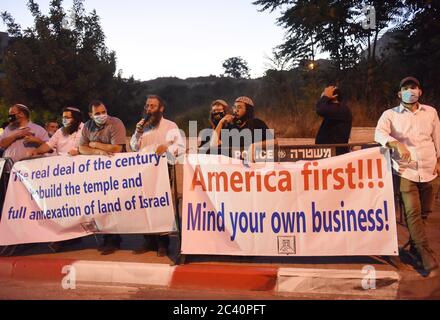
(65, 141)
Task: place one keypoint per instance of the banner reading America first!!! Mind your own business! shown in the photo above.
(341, 206)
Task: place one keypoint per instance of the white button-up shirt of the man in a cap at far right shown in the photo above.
(419, 131)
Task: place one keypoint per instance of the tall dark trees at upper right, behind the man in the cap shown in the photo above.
(360, 64)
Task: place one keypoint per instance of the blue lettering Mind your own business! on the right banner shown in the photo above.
(201, 219)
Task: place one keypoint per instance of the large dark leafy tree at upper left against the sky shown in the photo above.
(54, 64)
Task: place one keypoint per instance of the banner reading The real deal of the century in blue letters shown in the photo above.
(62, 198)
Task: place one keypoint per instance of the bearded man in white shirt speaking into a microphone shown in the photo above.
(156, 134)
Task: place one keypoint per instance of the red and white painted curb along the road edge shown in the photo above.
(203, 277)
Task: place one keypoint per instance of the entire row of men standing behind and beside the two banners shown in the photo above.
(411, 131)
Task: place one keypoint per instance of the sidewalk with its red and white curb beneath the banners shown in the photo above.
(337, 276)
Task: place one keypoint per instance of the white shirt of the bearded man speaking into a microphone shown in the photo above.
(165, 133)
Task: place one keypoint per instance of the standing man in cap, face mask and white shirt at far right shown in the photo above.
(412, 132)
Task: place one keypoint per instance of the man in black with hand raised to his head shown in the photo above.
(337, 119)
